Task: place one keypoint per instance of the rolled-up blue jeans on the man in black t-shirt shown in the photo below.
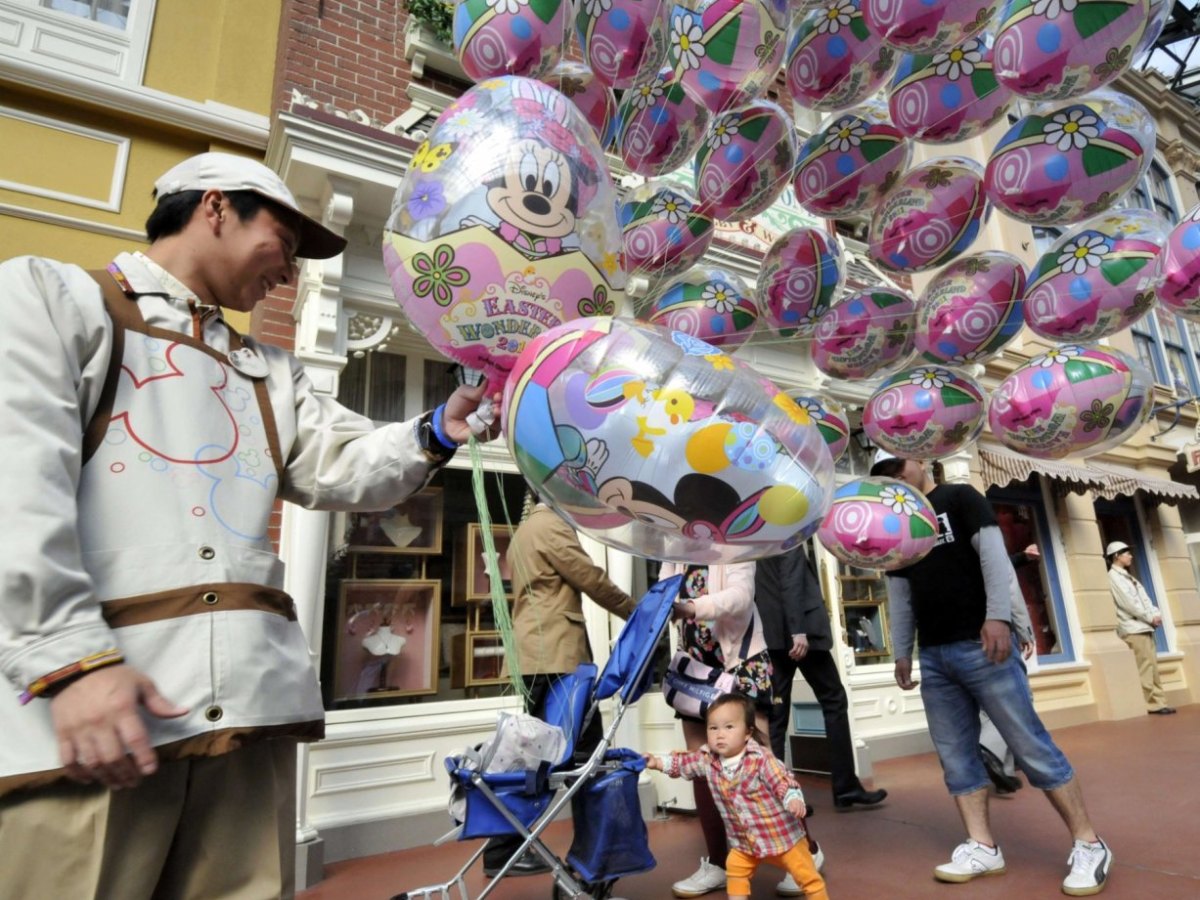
(957, 681)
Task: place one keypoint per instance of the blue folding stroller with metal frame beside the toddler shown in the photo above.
(610, 835)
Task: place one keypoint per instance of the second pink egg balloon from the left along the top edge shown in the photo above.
(622, 43)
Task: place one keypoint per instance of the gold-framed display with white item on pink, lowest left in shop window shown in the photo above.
(388, 640)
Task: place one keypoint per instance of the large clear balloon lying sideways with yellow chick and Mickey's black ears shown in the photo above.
(659, 445)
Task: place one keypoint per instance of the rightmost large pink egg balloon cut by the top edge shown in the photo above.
(1057, 50)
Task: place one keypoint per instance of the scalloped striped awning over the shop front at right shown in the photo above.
(1001, 469)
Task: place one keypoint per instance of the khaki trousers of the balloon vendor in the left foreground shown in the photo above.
(197, 830)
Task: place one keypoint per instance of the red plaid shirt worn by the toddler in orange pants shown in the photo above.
(751, 802)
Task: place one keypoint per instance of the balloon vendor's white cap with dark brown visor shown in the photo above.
(229, 172)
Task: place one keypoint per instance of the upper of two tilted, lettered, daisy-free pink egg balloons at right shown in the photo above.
(932, 215)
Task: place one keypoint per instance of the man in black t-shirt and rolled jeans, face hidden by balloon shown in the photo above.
(958, 601)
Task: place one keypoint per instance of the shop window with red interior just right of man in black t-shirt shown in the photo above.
(1022, 519)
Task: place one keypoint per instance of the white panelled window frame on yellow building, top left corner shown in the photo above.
(63, 43)
